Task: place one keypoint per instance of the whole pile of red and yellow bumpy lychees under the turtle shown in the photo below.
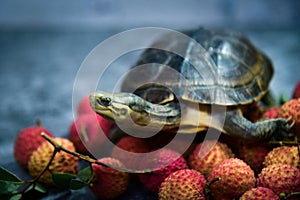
(231, 169)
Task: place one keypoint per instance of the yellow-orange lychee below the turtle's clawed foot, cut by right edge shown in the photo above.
(283, 155)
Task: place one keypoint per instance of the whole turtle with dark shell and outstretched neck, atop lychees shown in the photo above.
(218, 74)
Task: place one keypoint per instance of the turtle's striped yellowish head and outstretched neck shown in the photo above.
(122, 106)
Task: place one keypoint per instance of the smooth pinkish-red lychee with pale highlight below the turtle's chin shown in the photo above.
(88, 132)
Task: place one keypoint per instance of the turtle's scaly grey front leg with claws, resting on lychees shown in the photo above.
(236, 125)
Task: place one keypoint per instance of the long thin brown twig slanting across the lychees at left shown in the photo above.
(84, 157)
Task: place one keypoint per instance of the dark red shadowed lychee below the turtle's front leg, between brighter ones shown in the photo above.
(253, 154)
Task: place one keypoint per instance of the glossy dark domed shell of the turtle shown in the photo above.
(204, 66)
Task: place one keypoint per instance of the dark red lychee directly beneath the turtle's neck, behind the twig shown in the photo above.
(127, 145)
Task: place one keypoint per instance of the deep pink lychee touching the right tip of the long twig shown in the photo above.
(163, 162)
